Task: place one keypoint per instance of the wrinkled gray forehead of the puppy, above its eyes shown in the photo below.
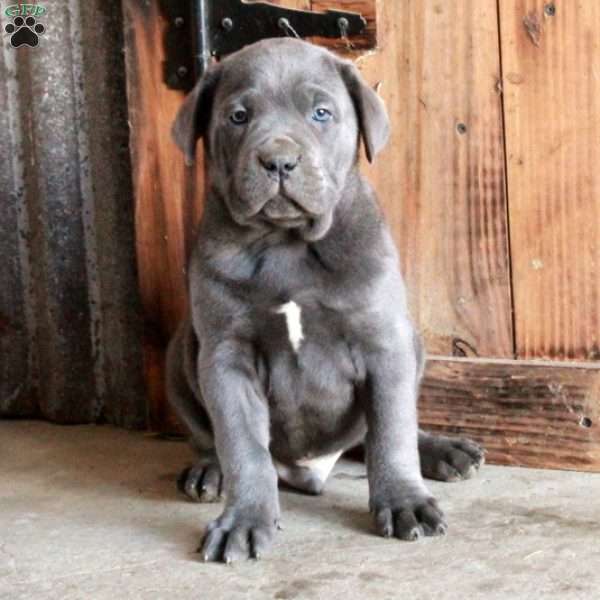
(279, 67)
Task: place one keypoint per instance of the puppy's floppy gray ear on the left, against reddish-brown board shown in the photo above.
(193, 117)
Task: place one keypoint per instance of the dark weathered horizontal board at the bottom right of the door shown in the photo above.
(525, 413)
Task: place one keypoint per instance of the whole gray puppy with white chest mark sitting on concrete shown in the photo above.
(299, 344)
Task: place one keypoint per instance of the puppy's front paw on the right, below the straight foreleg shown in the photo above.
(408, 516)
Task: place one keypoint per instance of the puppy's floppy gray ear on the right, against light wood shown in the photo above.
(373, 120)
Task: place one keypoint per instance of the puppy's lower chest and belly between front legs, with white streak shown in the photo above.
(310, 367)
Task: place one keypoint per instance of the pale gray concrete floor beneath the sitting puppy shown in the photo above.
(92, 512)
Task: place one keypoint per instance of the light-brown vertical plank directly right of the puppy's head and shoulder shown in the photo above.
(444, 191)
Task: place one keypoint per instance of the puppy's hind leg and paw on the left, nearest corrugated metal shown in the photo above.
(203, 481)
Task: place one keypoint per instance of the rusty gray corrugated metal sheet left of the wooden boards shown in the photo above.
(70, 324)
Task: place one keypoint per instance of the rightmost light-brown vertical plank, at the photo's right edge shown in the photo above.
(551, 67)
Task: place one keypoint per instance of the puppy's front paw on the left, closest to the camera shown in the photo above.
(238, 534)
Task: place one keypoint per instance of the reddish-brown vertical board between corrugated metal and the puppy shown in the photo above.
(168, 198)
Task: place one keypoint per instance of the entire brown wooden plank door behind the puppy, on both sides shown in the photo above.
(490, 189)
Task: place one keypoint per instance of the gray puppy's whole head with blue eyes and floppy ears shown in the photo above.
(281, 121)
